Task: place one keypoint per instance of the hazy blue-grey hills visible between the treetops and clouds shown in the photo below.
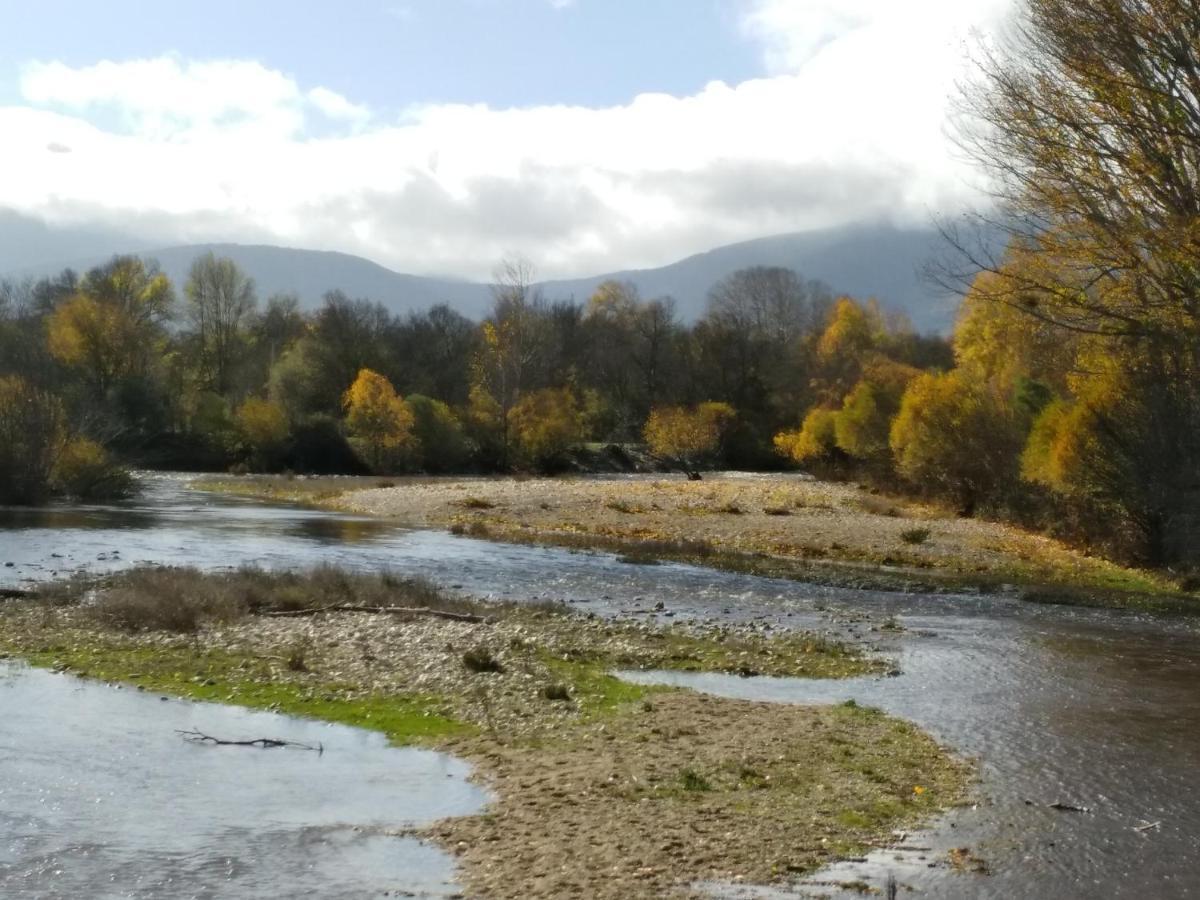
(880, 262)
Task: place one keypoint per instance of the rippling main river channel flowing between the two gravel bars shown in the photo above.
(1090, 709)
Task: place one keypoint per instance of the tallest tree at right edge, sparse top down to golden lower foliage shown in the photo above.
(1089, 123)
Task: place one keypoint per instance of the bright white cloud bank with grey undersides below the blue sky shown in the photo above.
(849, 128)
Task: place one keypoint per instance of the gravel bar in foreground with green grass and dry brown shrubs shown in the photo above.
(603, 788)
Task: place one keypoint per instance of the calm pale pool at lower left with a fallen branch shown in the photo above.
(100, 797)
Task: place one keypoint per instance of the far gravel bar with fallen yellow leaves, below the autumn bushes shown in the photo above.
(778, 526)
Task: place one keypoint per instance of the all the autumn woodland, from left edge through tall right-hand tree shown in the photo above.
(1067, 399)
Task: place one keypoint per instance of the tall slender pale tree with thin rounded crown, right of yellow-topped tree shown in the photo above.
(220, 301)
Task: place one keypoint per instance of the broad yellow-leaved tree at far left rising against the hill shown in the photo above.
(113, 327)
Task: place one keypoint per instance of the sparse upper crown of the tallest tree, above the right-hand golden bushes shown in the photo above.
(1089, 122)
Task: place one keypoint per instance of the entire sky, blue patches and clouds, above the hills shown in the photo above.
(440, 136)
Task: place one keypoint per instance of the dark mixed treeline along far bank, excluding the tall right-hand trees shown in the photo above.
(208, 377)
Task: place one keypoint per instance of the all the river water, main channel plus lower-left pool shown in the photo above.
(1096, 711)
